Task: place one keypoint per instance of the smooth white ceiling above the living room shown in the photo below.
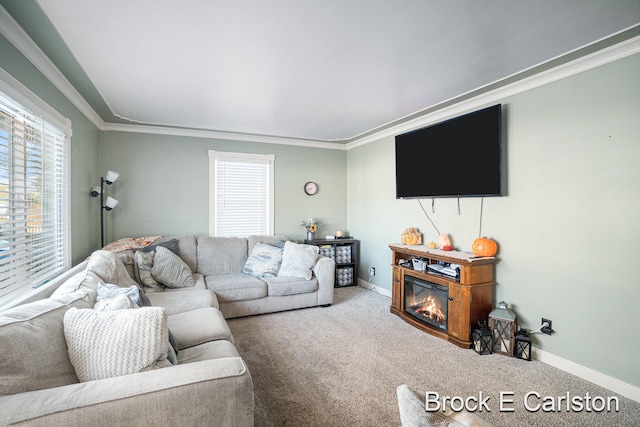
(314, 69)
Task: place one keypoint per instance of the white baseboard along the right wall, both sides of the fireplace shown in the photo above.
(627, 390)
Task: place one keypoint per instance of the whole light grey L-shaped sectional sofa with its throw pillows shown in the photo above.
(129, 341)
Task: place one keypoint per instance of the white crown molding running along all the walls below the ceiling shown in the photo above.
(10, 29)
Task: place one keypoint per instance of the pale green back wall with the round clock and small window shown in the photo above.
(163, 185)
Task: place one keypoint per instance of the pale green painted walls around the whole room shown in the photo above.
(566, 229)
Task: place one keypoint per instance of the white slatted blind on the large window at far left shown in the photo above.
(33, 199)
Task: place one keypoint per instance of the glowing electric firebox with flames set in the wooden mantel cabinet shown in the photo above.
(426, 301)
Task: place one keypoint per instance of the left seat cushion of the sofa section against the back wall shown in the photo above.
(236, 287)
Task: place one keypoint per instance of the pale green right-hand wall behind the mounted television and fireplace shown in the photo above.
(567, 229)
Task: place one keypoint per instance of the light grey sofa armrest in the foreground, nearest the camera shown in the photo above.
(216, 391)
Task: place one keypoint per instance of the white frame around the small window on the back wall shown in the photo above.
(214, 157)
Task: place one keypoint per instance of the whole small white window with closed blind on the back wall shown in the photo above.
(241, 194)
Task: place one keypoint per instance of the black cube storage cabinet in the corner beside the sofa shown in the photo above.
(345, 253)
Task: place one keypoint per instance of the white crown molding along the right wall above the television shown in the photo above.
(587, 62)
